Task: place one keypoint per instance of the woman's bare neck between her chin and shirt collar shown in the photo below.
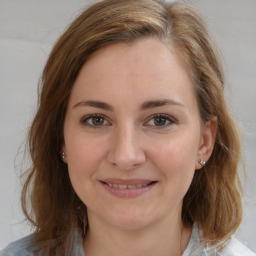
(168, 238)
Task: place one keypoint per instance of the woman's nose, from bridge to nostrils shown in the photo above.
(126, 151)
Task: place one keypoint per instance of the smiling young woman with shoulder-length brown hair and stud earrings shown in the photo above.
(134, 151)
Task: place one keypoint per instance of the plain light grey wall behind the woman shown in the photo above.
(28, 29)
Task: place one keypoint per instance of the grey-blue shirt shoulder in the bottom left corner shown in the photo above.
(19, 247)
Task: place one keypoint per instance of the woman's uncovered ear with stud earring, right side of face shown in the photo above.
(207, 141)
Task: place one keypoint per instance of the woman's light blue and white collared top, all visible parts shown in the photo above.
(195, 248)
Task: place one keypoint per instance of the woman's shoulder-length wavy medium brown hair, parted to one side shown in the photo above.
(48, 199)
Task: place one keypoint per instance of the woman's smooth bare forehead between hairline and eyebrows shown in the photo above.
(145, 68)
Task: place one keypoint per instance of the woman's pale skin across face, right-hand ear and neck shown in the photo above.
(133, 117)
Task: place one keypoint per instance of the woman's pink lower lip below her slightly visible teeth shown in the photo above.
(129, 192)
